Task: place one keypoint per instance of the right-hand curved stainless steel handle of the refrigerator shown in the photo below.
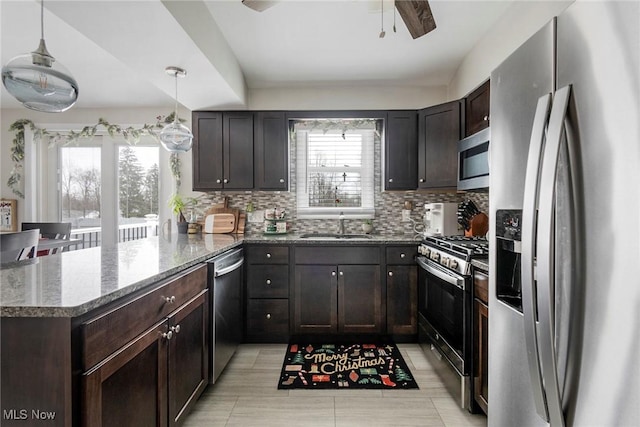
(546, 256)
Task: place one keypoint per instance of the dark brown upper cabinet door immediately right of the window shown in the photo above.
(401, 146)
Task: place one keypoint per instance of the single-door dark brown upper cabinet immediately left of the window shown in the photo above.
(271, 151)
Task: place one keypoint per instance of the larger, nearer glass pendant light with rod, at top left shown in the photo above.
(38, 81)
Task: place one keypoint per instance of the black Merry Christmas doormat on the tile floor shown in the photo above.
(348, 366)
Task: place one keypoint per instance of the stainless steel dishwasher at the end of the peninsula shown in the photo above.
(225, 282)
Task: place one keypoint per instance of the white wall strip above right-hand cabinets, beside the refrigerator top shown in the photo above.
(520, 21)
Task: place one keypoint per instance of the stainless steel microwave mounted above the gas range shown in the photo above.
(473, 161)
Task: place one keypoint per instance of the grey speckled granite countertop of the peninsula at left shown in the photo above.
(72, 283)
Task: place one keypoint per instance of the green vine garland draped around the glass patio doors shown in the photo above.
(130, 134)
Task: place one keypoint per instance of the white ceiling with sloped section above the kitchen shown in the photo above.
(117, 50)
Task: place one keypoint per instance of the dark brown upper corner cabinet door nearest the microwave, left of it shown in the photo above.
(439, 130)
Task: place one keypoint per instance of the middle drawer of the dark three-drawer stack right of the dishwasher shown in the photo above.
(268, 281)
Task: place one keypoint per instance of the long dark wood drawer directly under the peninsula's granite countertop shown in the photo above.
(109, 331)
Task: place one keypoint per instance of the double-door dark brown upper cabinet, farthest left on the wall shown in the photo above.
(222, 150)
